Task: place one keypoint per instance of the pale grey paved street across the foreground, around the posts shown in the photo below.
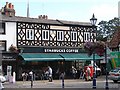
(68, 83)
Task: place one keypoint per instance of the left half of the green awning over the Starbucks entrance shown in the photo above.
(41, 56)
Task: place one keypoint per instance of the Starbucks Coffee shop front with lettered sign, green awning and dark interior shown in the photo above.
(62, 58)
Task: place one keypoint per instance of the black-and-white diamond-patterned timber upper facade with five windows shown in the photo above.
(32, 34)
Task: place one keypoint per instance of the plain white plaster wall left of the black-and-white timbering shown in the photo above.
(10, 36)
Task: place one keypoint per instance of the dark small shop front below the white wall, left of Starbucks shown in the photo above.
(9, 63)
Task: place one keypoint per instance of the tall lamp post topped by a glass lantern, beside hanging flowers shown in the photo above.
(93, 21)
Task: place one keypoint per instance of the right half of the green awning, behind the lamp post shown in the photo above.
(80, 56)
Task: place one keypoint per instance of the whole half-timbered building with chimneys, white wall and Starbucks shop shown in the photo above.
(42, 42)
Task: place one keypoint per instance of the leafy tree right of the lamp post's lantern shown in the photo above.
(107, 28)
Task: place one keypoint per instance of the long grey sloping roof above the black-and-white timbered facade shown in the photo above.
(44, 21)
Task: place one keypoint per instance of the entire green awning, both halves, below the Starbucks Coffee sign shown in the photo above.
(57, 56)
